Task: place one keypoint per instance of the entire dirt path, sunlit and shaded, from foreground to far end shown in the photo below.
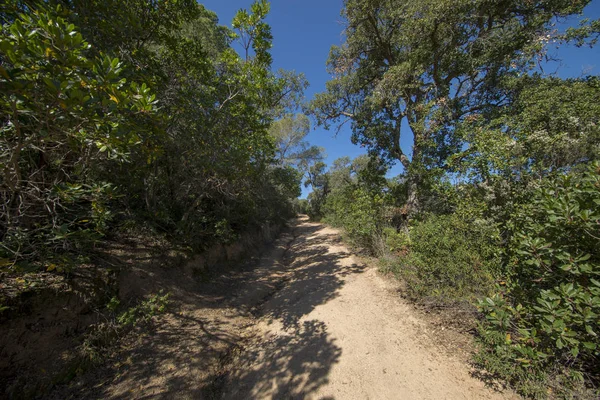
(306, 320)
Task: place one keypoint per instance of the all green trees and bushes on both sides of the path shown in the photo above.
(119, 114)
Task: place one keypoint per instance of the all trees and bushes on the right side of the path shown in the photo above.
(499, 201)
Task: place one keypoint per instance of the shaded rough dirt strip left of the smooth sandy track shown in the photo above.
(188, 351)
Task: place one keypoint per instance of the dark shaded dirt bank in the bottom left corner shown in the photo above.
(45, 318)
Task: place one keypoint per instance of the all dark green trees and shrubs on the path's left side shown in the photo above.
(125, 113)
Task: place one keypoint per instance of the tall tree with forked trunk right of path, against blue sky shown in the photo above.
(428, 64)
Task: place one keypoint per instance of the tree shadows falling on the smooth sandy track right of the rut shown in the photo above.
(296, 354)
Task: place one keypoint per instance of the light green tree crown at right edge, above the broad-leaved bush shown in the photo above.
(550, 124)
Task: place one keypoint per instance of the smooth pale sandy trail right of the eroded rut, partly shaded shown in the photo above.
(335, 330)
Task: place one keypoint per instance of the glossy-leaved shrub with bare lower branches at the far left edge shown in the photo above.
(64, 114)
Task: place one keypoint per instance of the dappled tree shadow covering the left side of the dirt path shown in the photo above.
(202, 349)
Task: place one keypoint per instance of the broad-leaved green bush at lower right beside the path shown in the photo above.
(546, 322)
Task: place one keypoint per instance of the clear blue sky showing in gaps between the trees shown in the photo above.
(304, 30)
